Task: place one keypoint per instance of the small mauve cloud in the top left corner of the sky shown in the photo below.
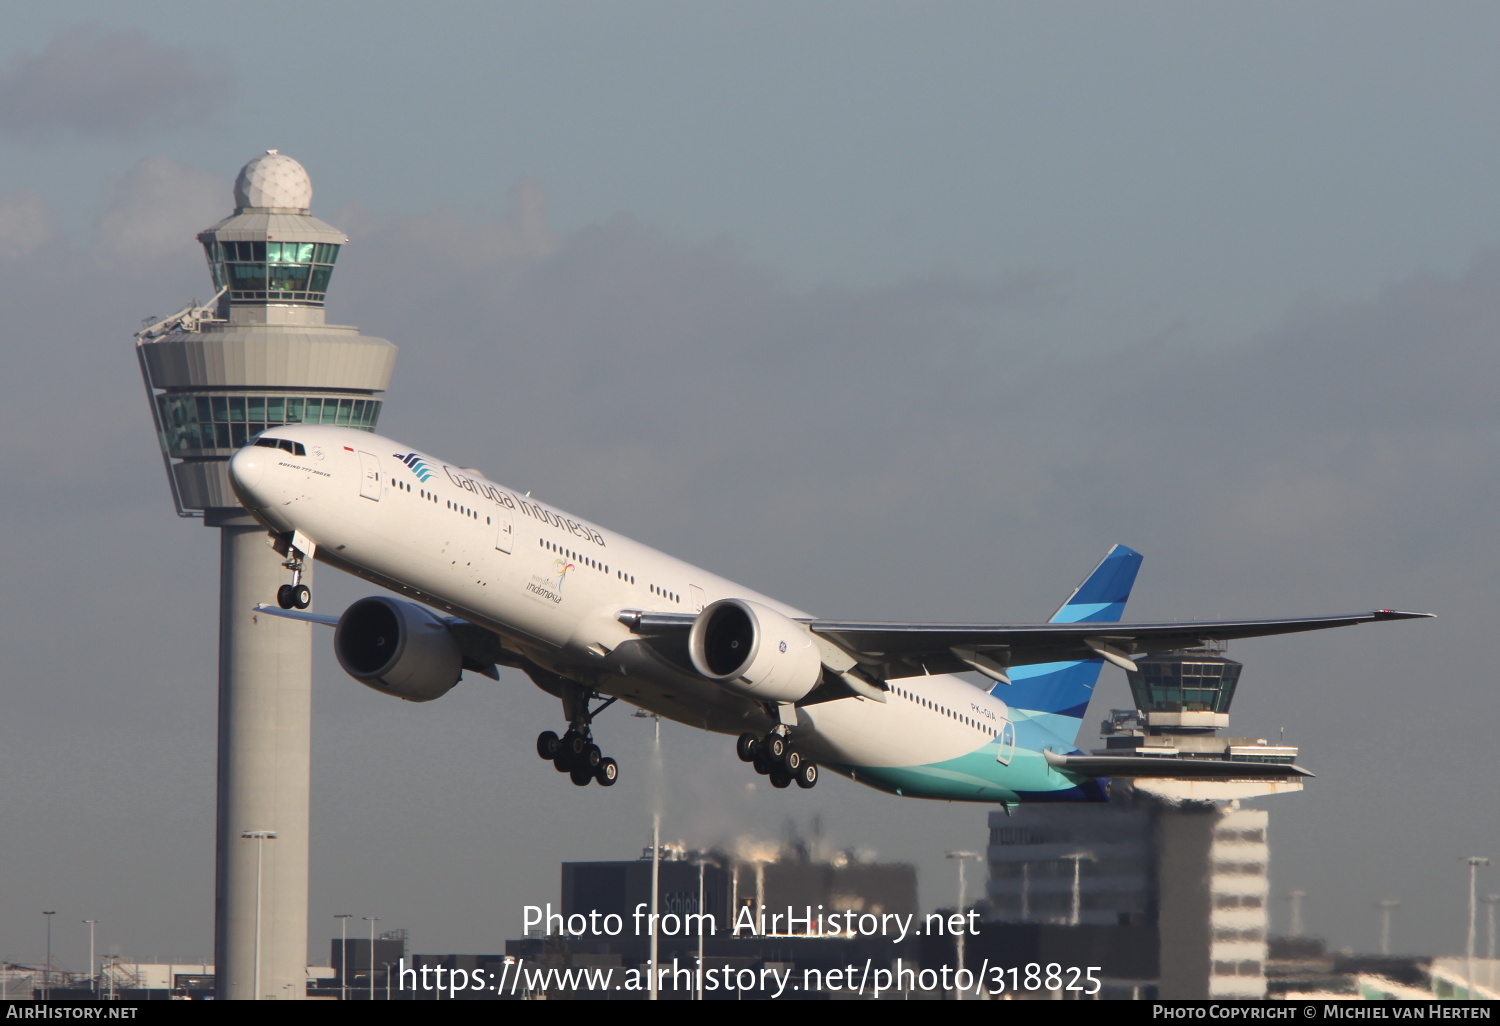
(107, 85)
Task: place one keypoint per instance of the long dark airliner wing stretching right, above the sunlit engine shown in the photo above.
(904, 650)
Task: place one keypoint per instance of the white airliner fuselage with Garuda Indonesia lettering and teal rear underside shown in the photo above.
(553, 586)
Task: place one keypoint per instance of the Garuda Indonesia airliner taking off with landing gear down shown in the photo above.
(593, 617)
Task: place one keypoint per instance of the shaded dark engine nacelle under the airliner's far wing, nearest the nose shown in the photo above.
(398, 649)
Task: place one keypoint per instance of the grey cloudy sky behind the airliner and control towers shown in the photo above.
(889, 311)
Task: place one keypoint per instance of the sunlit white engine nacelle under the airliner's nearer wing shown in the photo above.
(755, 650)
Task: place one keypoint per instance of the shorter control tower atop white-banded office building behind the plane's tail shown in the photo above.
(1168, 884)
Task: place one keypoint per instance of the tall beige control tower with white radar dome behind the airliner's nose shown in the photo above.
(256, 356)
